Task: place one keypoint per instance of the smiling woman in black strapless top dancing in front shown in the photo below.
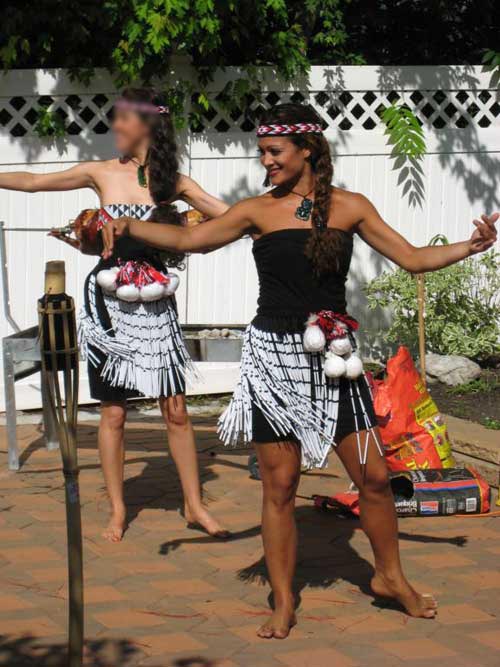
(285, 401)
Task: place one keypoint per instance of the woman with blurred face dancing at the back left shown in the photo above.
(136, 350)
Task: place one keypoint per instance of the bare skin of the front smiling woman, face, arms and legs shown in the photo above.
(289, 168)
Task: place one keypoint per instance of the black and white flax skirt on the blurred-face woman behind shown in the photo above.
(133, 349)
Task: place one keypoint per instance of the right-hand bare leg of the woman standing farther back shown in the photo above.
(183, 449)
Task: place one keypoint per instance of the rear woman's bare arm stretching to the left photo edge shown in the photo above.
(81, 176)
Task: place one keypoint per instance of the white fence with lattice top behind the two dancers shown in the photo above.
(458, 106)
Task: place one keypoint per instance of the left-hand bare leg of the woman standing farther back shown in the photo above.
(112, 451)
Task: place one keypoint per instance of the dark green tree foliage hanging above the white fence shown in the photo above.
(98, 33)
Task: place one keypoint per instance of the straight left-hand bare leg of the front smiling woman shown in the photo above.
(279, 465)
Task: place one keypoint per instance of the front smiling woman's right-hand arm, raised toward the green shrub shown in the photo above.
(379, 235)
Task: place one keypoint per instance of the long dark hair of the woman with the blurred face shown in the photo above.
(163, 164)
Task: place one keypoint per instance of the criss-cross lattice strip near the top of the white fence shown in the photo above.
(340, 110)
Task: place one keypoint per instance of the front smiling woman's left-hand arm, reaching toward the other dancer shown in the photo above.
(214, 233)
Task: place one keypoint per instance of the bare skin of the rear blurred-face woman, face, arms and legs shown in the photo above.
(116, 182)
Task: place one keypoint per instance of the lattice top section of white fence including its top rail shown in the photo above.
(460, 98)
